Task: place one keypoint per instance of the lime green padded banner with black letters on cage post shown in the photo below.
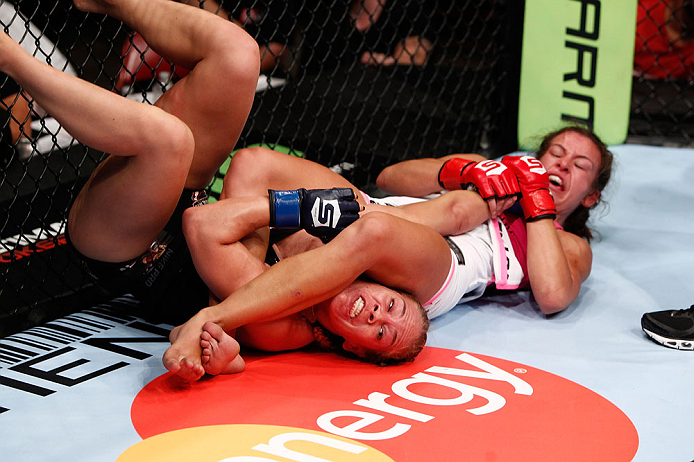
(576, 67)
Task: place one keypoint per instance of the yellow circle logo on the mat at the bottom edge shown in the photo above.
(249, 443)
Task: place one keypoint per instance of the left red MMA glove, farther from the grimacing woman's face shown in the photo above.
(491, 178)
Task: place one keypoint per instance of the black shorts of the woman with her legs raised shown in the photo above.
(163, 279)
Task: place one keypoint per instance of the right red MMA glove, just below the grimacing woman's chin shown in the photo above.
(536, 200)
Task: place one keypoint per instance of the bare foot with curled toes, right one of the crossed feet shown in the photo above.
(220, 351)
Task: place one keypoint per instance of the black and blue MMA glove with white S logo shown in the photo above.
(321, 212)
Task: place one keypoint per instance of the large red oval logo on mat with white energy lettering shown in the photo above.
(446, 405)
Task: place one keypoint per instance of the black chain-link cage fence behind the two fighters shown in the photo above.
(352, 84)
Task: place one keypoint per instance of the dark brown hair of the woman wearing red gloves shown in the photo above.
(577, 222)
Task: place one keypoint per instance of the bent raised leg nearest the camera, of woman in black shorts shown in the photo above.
(113, 124)
